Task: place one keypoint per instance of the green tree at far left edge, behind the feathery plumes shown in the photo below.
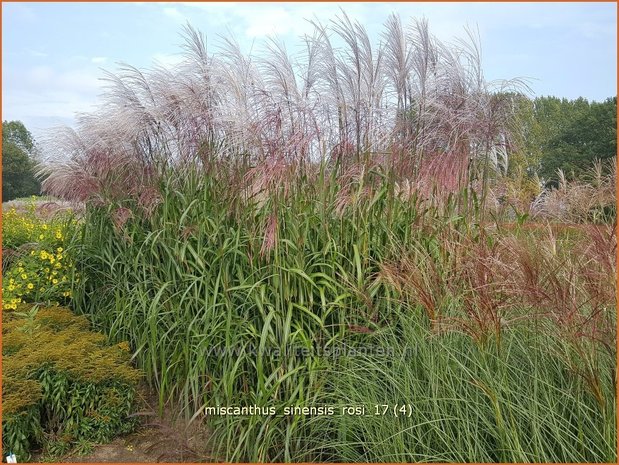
(18, 162)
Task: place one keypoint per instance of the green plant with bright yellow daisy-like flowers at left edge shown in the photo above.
(40, 269)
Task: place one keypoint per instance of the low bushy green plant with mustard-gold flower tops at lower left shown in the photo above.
(61, 382)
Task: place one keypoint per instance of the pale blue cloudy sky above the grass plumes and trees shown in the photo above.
(53, 53)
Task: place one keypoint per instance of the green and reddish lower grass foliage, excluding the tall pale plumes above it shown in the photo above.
(218, 294)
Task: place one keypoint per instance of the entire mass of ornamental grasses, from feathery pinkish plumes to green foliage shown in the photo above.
(344, 194)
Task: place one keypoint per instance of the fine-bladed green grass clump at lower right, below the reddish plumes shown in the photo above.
(465, 402)
